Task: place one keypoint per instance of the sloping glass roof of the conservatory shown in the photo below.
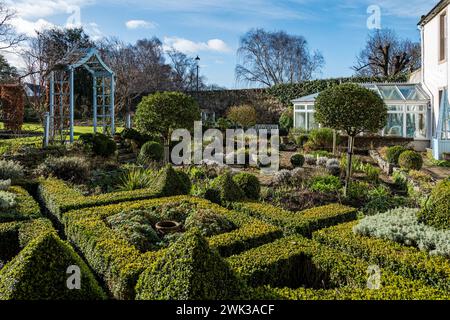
(390, 92)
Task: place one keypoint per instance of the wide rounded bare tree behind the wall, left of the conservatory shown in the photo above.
(270, 58)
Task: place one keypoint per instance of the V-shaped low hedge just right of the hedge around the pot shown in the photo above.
(302, 222)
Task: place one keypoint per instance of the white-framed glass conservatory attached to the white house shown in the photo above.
(408, 112)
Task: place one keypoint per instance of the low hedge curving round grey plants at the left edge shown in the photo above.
(26, 208)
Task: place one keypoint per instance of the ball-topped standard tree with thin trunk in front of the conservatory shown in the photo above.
(352, 109)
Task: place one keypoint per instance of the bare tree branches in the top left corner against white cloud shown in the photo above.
(8, 36)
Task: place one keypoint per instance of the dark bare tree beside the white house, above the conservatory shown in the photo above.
(387, 55)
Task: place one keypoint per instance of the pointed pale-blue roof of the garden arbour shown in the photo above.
(87, 58)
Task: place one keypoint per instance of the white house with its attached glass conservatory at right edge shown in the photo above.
(419, 109)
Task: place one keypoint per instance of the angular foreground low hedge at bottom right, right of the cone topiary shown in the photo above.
(297, 261)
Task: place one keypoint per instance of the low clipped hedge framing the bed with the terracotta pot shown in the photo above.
(120, 263)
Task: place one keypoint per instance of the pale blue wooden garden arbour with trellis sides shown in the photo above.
(62, 95)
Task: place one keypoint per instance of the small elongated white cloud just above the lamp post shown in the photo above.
(189, 46)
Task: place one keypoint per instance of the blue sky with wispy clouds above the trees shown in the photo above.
(212, 28)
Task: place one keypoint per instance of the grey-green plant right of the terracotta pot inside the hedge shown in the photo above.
(208, 223)
